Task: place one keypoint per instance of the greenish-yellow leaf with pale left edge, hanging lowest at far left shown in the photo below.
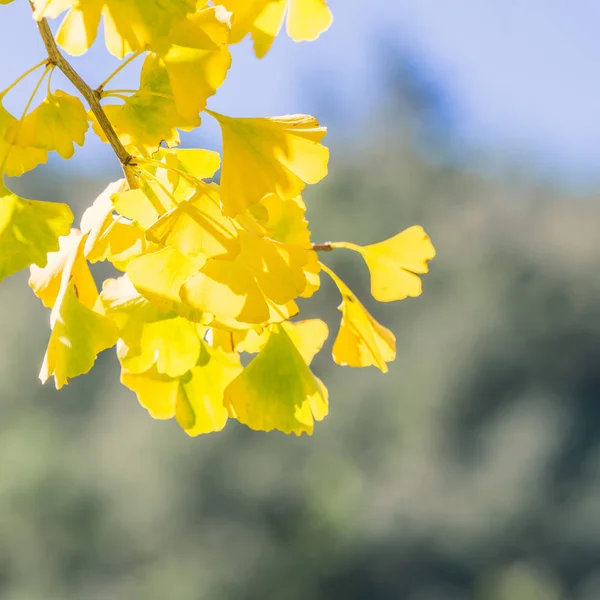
(78, 335)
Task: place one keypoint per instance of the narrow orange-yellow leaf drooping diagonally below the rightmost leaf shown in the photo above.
(361, 340)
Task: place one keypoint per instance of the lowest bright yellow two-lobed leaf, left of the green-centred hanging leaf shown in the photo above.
(195, 399)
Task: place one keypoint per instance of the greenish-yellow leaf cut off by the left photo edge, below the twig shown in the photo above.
(29, 229)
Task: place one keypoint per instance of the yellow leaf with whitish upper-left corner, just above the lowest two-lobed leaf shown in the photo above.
(148, 337)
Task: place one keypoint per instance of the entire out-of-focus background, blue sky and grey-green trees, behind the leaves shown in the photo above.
(471, 471)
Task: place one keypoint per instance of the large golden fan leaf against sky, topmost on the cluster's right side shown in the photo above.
(269, 155)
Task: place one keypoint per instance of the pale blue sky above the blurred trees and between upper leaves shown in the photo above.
(521, 74)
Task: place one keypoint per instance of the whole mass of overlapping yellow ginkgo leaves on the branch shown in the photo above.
(210, 274)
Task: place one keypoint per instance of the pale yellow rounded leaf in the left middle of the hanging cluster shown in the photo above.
(159, 276)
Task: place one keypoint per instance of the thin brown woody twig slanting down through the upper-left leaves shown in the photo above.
(56, 58)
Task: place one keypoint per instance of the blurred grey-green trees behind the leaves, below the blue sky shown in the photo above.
(471, 471)
